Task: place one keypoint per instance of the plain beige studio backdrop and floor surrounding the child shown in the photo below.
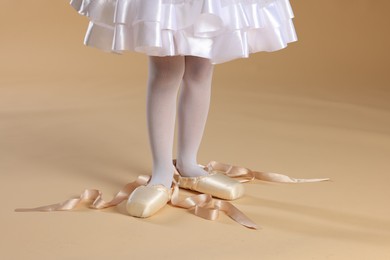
(73, 117)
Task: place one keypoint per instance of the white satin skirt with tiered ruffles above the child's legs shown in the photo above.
(219, 30)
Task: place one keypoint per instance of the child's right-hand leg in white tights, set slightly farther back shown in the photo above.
(194, 101)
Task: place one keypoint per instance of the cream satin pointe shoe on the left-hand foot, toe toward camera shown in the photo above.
(145, 201)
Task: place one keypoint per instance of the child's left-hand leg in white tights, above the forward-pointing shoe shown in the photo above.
(165, 76)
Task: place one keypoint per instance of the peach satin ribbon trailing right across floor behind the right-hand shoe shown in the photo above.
(245, 175)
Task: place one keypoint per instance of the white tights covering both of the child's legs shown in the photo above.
(166, 75)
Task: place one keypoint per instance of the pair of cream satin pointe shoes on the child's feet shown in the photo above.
(144, 201)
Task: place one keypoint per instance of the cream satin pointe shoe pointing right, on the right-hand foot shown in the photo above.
(216, 184)
